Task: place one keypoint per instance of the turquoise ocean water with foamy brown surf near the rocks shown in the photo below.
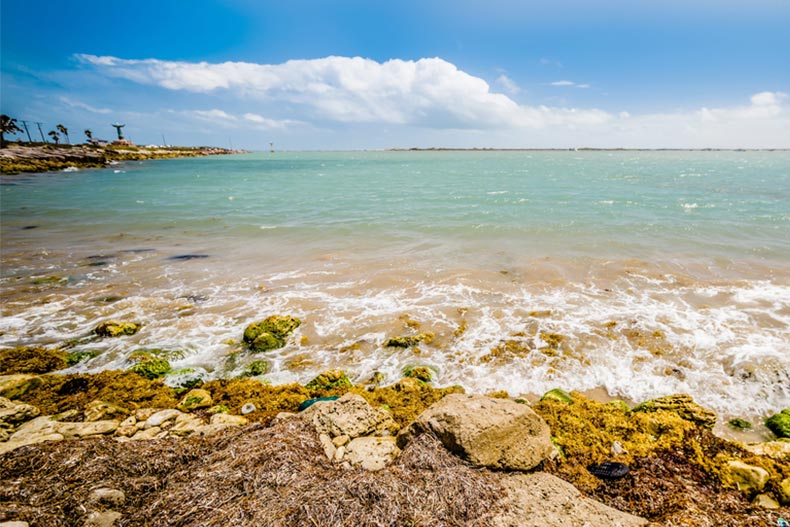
(638, 273)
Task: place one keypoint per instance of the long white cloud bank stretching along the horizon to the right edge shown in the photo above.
(432, 95)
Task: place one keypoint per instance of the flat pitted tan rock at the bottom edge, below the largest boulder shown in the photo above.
(543, 500)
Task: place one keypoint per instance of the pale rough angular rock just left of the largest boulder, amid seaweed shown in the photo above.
(351, 415)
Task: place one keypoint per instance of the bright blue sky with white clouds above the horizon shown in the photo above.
(319, 75)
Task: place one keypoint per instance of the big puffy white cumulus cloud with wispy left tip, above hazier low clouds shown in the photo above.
(429, 92)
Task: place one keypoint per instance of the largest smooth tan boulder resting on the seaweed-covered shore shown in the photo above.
(495, 433)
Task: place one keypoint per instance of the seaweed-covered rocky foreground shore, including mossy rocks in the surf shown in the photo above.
(124, 448)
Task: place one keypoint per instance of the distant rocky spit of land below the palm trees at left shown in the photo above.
(17, 158)
